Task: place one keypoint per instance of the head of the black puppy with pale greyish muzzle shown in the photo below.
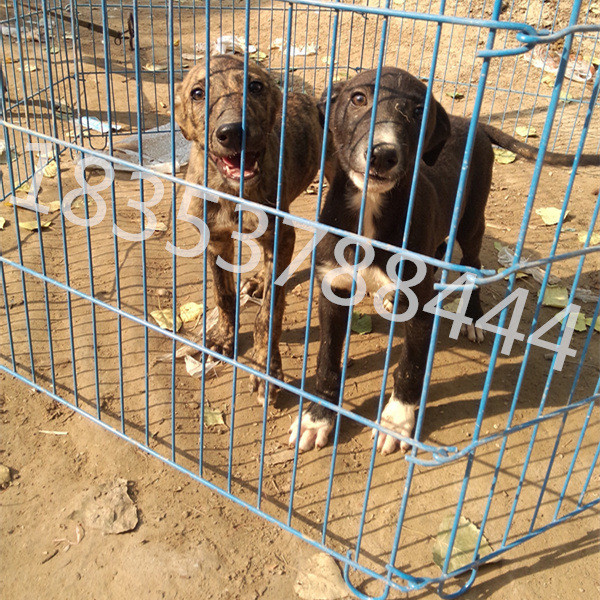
(398, 121)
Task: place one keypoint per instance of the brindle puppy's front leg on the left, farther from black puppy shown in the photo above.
(221, 340)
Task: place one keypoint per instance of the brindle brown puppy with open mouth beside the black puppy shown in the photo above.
(261, 144)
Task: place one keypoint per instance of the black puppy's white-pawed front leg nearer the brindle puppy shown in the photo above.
(317, 421)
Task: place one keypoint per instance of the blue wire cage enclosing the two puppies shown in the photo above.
(108, 301)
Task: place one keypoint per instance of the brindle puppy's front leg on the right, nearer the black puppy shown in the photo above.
(264, 318)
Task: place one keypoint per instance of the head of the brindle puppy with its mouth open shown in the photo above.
(225, 114)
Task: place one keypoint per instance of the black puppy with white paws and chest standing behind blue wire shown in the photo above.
(390, 173)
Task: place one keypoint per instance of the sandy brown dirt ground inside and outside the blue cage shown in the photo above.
(191, 541)
